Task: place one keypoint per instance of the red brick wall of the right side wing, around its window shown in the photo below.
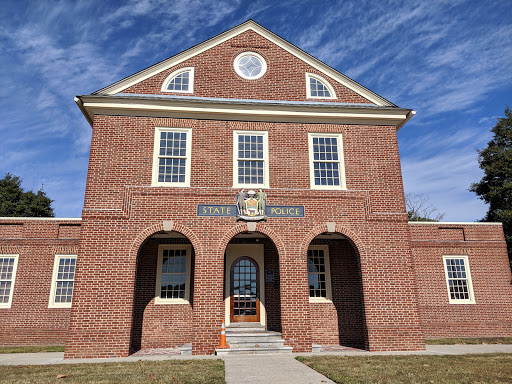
(491, 314)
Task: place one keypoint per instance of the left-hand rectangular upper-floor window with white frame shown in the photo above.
(171, 159)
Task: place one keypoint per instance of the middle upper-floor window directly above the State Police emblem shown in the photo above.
(250, 159)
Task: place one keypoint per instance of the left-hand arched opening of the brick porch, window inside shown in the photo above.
(164, 292)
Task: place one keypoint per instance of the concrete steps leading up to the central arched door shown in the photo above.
(251, 338)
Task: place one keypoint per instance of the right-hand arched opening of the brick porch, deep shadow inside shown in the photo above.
(336, 292)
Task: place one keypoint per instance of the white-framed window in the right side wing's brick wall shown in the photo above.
(458, 280)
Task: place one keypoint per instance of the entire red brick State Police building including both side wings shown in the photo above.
(243, 180)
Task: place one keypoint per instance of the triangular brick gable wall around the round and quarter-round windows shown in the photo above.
(215, 75)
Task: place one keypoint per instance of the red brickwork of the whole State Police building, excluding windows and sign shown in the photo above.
(387, 278)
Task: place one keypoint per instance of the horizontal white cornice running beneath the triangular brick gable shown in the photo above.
(239, 110)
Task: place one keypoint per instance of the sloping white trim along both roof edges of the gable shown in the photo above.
(219, 39)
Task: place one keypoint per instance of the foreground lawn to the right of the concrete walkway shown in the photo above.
(447, 369)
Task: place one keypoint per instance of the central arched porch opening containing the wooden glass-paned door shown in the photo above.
(252, 281)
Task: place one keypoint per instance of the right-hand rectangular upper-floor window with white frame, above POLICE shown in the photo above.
(326, 161)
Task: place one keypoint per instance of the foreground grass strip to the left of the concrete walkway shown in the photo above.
(153, 372)
